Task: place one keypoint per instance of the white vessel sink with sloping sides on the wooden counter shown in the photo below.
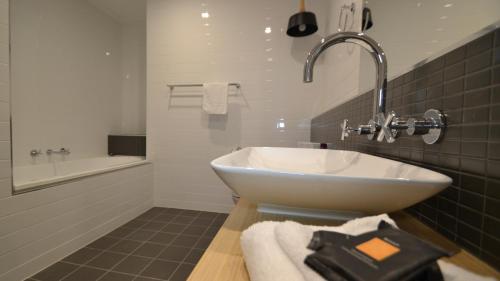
(325, 183)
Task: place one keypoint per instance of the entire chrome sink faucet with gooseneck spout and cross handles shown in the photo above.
(385, 127)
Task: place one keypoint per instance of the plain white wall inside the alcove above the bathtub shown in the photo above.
(78, 74)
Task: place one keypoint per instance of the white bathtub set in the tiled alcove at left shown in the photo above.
(32, 176)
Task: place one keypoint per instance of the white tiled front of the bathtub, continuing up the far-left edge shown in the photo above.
(41, 227)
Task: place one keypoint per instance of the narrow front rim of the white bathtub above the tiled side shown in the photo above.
(43, 184)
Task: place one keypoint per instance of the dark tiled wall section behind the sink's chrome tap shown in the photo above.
(465, 84)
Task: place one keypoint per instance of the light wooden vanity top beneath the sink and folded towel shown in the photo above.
(223, 260)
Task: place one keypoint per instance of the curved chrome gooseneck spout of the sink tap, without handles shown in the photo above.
(367, 43)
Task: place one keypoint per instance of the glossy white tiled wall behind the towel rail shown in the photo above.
(231, 45)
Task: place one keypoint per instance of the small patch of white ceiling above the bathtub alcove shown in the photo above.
(124, 11)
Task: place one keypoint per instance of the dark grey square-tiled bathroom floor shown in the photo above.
(174, 231)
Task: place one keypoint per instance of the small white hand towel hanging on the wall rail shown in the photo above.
(215, 98)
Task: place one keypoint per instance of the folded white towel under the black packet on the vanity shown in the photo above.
(277, 250)
